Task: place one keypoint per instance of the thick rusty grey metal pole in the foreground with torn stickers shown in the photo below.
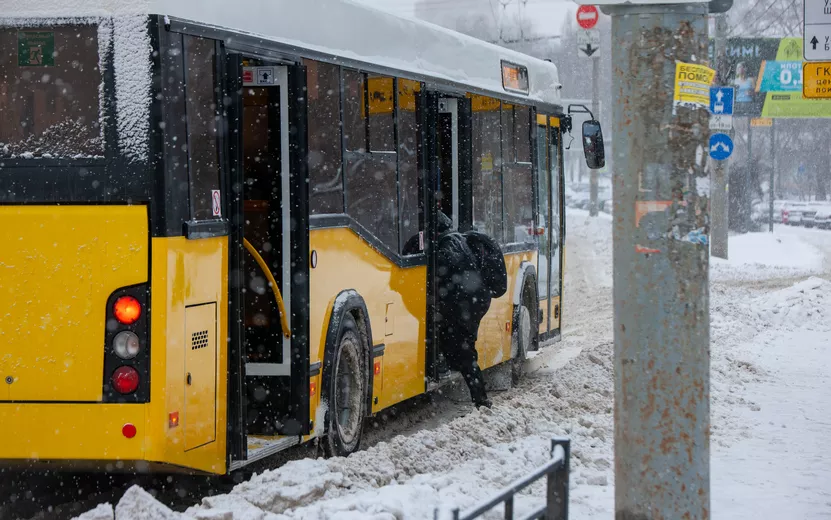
(661, 283)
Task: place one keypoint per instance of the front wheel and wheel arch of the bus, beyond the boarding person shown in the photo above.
(525, 329)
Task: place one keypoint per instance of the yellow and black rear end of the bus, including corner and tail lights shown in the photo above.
(114, 265)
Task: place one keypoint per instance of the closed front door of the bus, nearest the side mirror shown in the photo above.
(550, 224)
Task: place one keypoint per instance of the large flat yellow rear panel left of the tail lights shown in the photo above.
(58, 267)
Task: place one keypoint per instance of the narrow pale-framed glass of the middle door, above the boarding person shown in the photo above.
(447, 137)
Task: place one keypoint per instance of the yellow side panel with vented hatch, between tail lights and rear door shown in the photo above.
(187, 275)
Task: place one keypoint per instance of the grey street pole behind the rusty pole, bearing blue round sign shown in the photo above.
(719, 201)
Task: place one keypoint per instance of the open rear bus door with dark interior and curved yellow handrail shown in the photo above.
(269, 341)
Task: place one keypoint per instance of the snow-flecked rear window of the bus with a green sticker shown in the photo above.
(49, 93)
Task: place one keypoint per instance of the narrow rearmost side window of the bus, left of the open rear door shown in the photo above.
(201, 108)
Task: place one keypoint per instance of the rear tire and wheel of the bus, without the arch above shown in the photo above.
(346, 392)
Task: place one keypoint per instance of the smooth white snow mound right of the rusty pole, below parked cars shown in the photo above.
(757, 256)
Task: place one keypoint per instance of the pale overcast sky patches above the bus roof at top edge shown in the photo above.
(547, 15)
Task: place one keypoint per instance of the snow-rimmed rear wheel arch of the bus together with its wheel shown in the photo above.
(346, 351)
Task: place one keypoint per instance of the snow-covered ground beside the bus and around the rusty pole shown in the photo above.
(770, 405)
